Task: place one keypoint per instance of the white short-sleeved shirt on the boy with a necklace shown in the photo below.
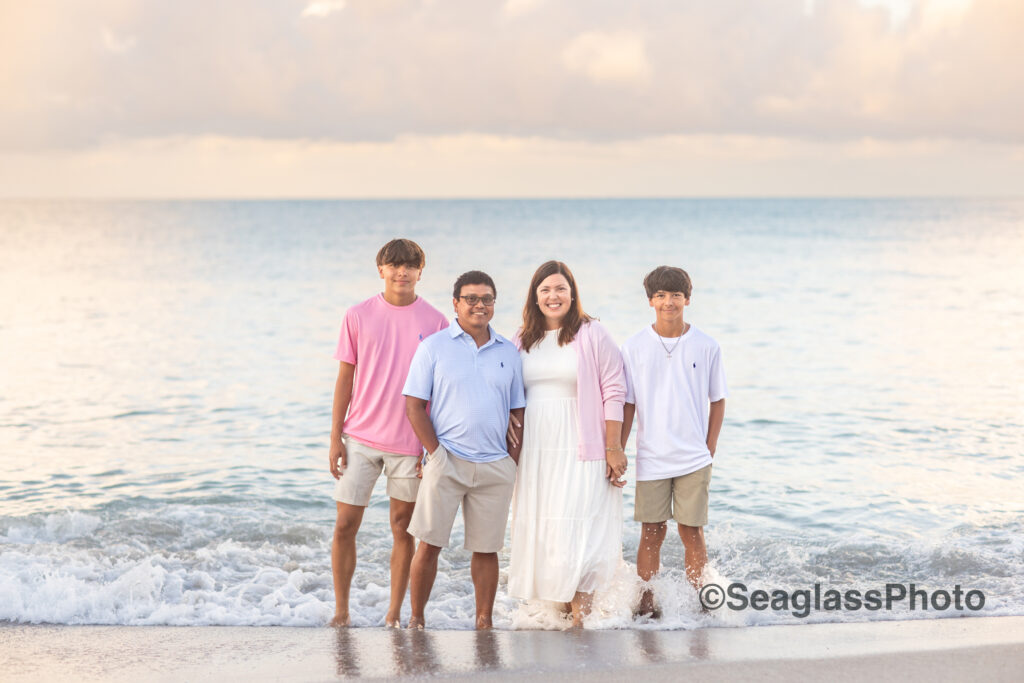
(673, 397)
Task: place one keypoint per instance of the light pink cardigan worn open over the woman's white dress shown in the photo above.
(601, 387)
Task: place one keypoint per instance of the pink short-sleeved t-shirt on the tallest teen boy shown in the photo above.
(380, 339)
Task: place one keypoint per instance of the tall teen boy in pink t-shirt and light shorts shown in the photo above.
(369, 431)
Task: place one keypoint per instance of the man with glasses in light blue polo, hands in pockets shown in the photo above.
(474, 379)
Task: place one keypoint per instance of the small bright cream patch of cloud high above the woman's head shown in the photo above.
(609, 58)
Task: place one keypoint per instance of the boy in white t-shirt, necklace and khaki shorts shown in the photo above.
(676, 390)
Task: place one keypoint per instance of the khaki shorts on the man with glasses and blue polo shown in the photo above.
(484, 490)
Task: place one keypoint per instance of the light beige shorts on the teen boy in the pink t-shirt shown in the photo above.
(364, 467)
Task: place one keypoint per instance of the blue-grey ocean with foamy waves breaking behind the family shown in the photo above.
(166, 383)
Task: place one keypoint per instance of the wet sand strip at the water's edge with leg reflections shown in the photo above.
(954, 650)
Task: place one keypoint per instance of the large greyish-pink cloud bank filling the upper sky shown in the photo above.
(575, 70)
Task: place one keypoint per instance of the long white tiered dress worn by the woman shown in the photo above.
(567, 518)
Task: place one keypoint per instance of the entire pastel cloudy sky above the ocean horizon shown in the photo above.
(391, 99)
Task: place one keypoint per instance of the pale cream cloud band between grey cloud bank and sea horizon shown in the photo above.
(485, 166)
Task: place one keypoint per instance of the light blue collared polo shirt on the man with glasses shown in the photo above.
(471, 390)
